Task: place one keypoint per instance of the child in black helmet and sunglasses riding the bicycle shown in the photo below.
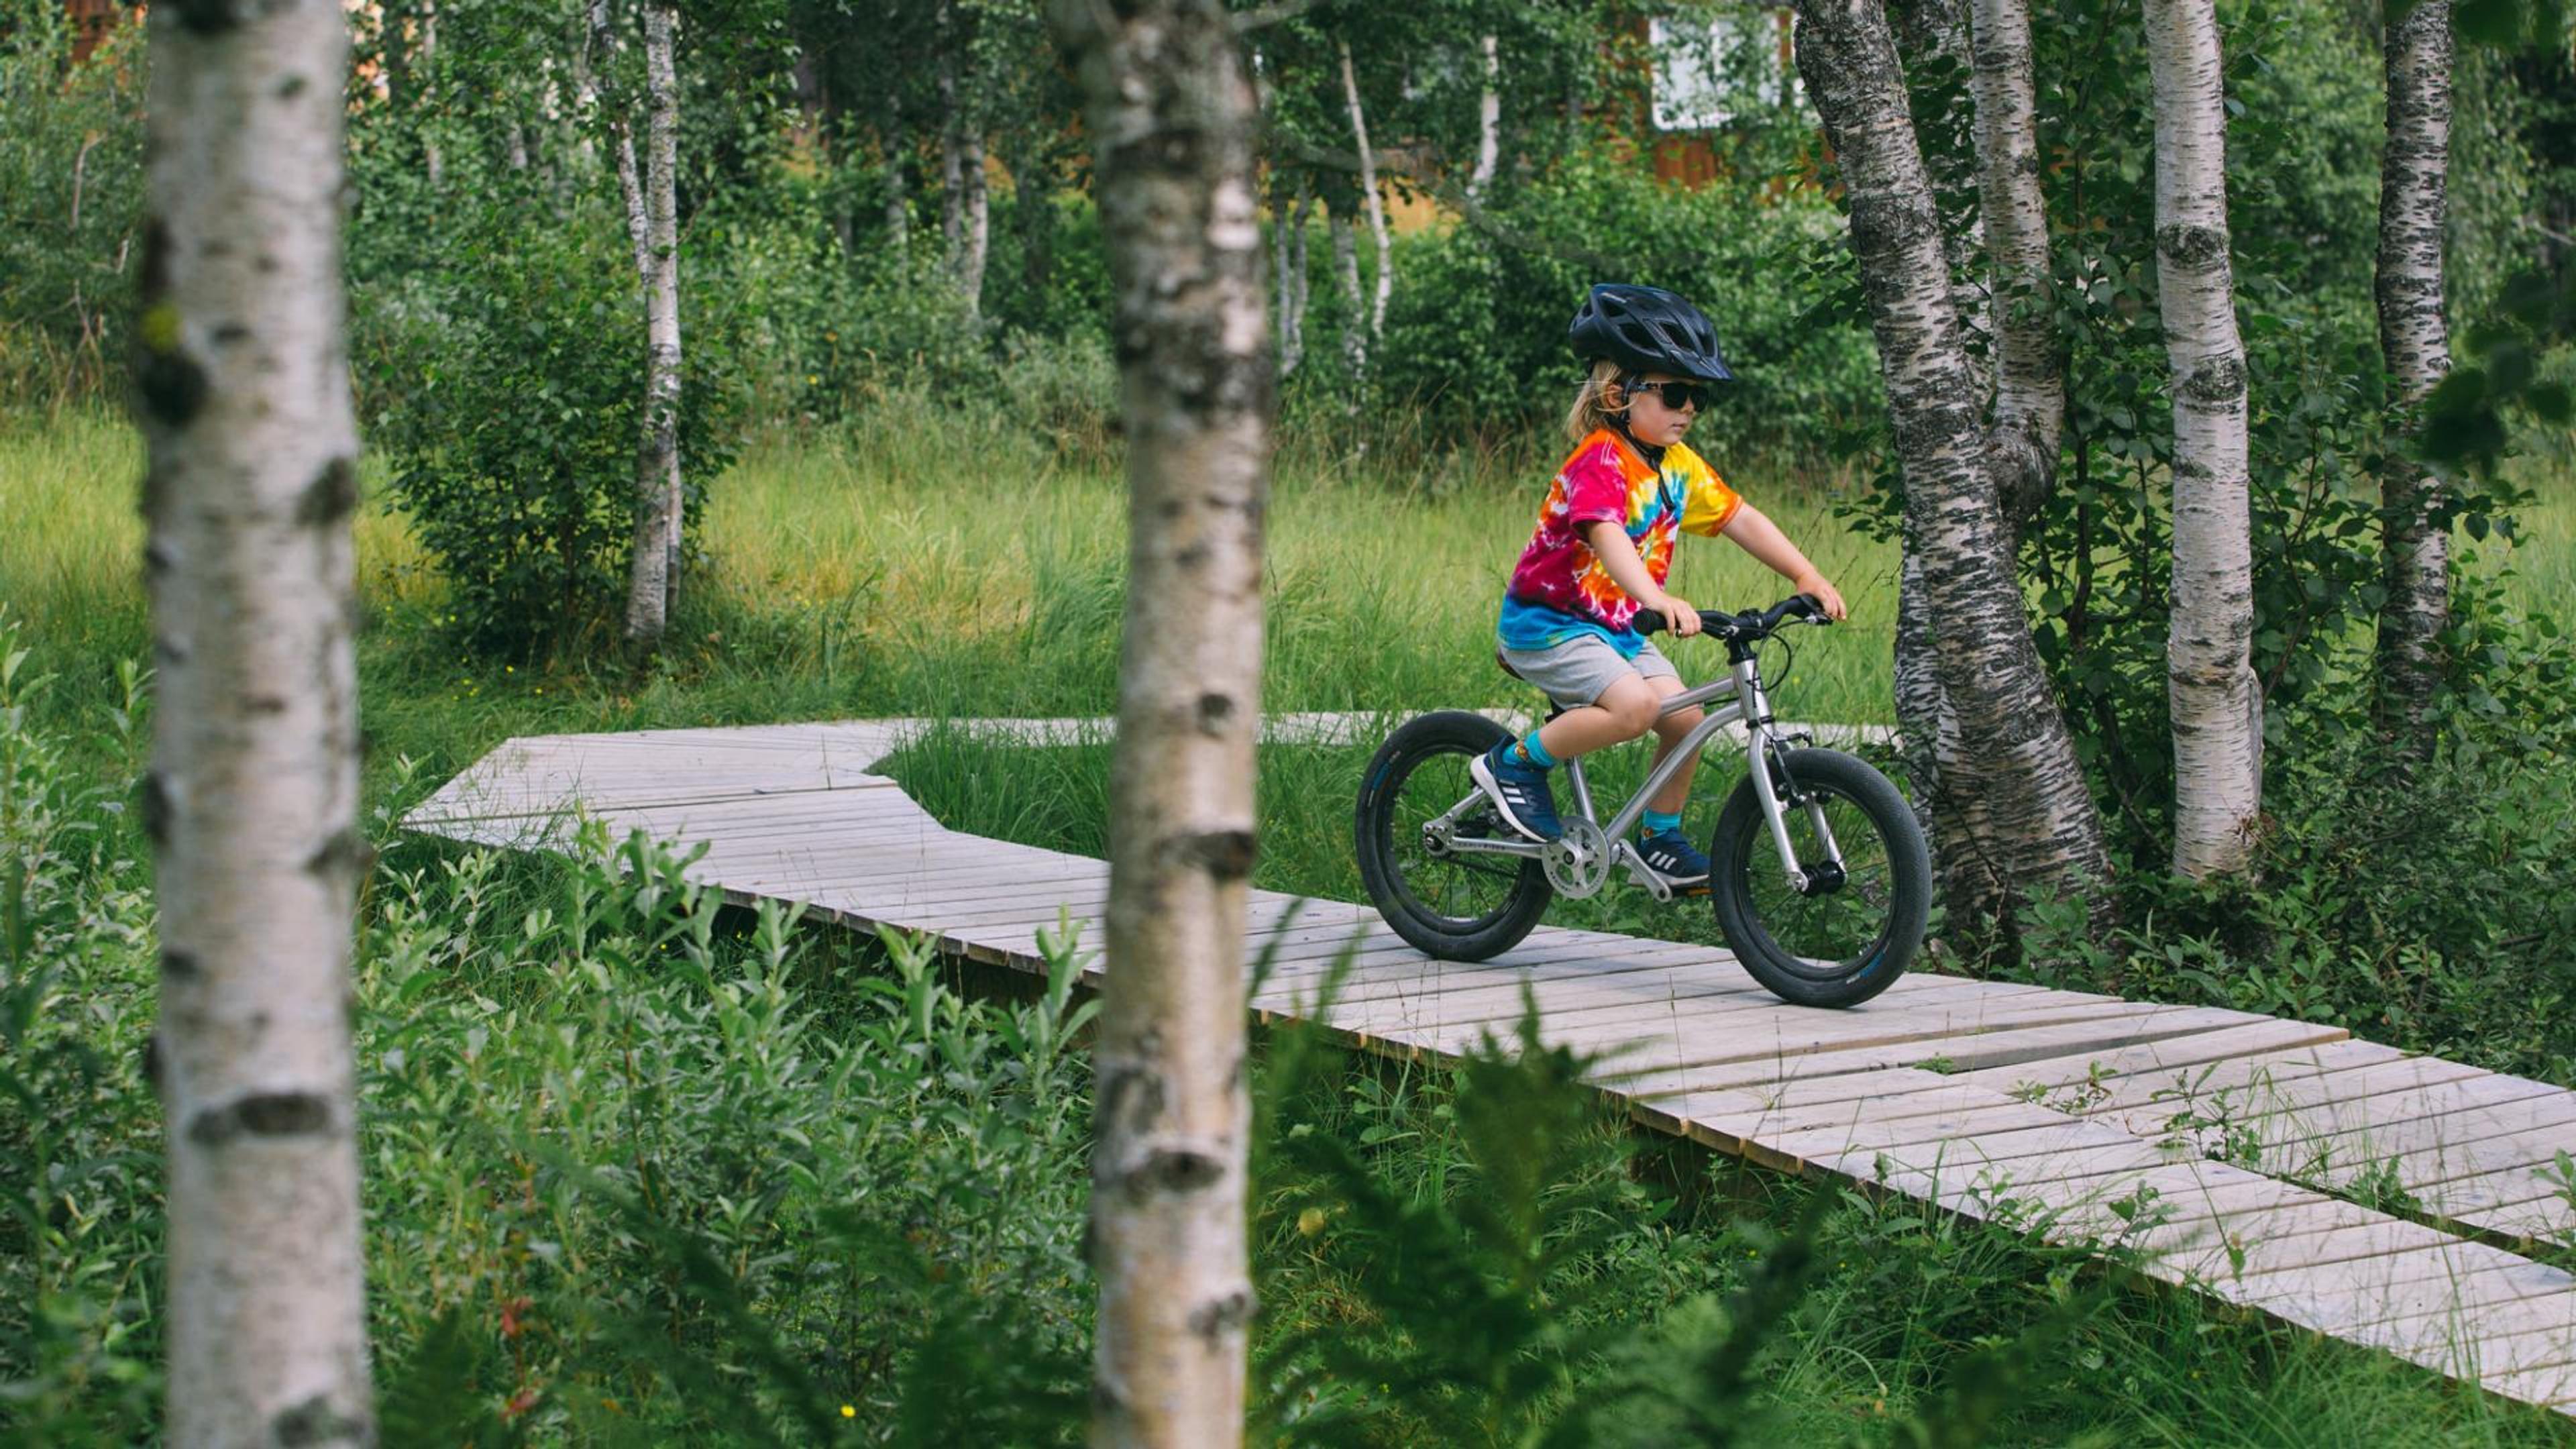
(1601, 556)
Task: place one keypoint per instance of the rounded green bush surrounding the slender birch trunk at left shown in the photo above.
(514, 401)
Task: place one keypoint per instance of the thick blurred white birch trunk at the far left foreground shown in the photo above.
(254, 793)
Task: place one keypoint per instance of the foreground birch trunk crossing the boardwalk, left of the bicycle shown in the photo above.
(1173, 125)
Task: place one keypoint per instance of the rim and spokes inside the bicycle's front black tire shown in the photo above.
(1823, 937)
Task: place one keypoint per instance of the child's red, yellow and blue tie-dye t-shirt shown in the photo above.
(1560, 589)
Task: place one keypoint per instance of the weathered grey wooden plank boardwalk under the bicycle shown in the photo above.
(2204, 1143)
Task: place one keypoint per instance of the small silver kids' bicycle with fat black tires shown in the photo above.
(1833, 922)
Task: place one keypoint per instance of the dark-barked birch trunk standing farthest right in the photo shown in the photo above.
(2418, 352)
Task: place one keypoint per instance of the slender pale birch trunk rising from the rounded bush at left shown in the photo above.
(653, 584)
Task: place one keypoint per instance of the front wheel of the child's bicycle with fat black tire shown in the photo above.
(1835, 948)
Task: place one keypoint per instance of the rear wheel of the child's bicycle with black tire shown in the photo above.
(1459, 909)
